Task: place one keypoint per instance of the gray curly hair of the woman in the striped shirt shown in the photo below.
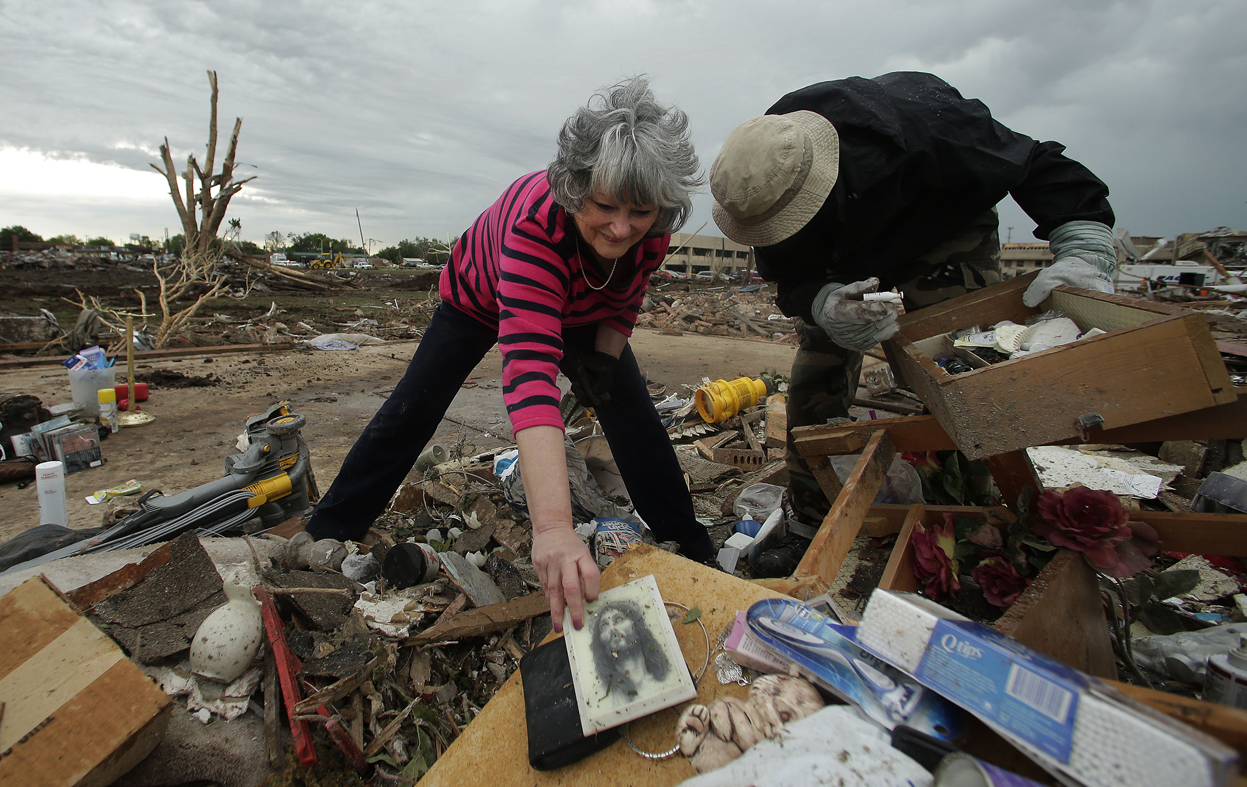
(627, 145)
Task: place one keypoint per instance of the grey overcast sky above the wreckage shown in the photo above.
(420, 114)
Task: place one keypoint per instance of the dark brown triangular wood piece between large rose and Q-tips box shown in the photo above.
(1062, 616)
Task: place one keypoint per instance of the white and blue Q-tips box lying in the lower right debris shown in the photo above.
(1069, 723)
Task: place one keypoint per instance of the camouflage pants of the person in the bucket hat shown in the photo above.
(825, 376)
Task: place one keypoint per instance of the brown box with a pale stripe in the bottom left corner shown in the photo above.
(77, 712)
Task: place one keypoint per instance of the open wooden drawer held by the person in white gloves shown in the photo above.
(1155, 361)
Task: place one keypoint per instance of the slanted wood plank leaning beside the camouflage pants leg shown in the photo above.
(835, 538)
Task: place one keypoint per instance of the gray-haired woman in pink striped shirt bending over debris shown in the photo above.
(554, 273)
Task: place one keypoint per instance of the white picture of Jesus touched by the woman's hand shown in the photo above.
(627, 662)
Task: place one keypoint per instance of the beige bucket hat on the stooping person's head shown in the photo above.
(773, 175)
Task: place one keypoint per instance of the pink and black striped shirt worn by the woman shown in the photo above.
(518, 268)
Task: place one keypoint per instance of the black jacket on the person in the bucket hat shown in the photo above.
(918, 163)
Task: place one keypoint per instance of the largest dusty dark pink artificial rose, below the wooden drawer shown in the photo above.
(1087, 521)
